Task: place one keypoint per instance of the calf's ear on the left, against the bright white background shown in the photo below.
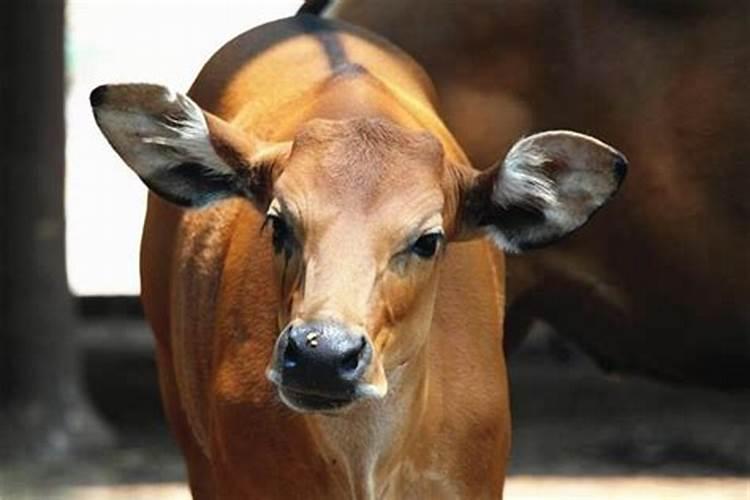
(183, 154)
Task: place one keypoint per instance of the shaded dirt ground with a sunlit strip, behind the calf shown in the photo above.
(577, 434)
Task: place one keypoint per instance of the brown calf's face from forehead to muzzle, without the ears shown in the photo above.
(358, 225)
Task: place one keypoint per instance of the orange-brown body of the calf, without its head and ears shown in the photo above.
(211, 295)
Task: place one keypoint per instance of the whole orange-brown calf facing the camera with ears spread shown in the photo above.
(327, 313)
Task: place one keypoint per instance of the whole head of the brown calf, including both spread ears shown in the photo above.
(359, 213)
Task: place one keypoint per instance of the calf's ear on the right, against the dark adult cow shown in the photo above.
(548, 185)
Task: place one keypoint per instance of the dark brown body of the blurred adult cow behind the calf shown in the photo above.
(659, 285)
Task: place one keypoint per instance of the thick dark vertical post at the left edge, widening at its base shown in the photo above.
(42, 400)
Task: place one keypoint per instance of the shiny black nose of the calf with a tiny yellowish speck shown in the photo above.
(323, 359)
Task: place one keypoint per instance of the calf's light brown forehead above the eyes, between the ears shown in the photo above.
(362, 166)
